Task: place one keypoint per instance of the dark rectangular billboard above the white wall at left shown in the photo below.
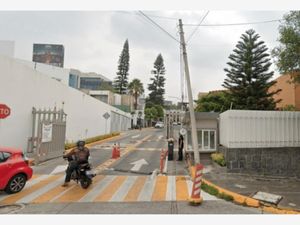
(49, 54)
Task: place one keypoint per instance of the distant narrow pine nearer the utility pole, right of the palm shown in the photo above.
(156, 88)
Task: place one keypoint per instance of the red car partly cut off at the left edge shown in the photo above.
(14, 170)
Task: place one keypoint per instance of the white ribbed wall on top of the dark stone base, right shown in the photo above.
(259, 129)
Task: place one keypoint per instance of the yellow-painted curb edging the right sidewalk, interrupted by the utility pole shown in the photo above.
(244, 200)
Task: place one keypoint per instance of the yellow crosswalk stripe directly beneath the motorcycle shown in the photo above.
(76, 193)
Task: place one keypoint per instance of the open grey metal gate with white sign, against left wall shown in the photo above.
(48, 134)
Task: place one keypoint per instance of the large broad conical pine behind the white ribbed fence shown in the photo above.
(248, 76)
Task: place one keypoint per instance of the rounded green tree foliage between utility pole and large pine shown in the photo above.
(213, 102)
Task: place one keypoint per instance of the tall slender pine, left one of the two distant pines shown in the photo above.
(121, 81)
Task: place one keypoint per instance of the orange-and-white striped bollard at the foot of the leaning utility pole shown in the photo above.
(196, 198)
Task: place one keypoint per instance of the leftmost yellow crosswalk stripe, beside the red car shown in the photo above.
(15, 197)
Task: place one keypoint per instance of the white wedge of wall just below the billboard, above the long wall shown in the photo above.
(55, 72)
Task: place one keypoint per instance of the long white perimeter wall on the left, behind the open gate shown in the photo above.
(22, 88)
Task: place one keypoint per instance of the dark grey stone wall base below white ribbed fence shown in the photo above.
(264, 161)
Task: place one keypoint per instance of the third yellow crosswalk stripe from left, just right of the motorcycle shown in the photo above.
(109, 191)
